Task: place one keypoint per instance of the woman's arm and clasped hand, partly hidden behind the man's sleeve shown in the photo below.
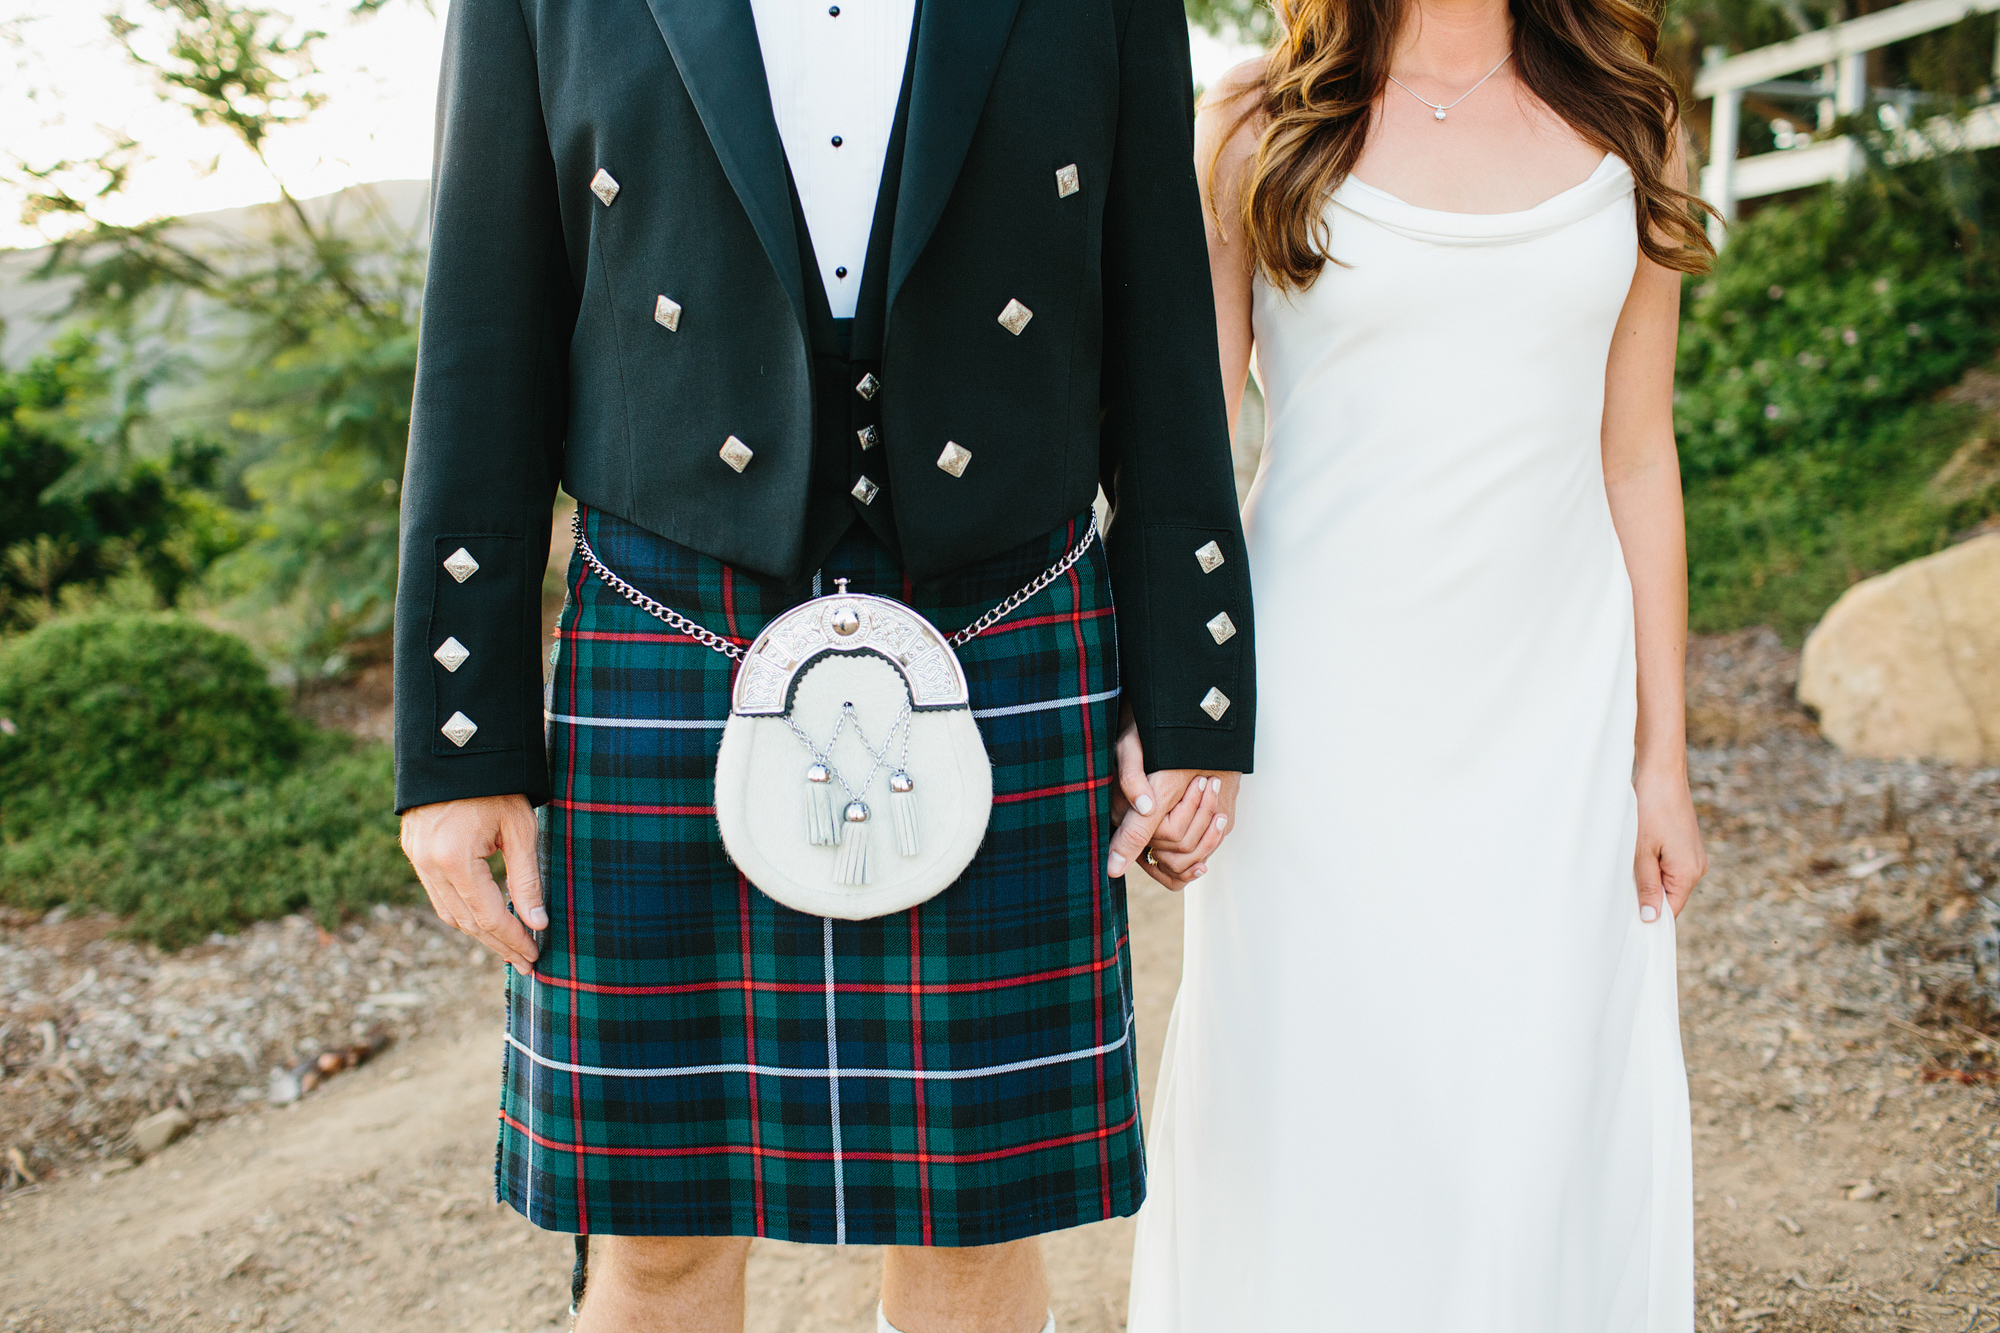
(1223, 149)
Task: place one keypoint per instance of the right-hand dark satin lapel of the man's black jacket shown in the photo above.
(959, 47)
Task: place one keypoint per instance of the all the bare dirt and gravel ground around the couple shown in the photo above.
(1841, 1008)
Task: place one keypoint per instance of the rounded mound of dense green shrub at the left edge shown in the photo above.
(109, 710)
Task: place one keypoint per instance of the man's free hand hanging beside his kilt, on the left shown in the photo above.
(449, 846)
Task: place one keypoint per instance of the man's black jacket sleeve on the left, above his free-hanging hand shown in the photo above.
(487, 429)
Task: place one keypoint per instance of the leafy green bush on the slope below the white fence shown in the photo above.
(1811, 365)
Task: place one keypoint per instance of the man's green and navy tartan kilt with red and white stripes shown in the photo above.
(691, 1058)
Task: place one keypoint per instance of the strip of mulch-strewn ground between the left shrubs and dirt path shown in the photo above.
(101, 1032)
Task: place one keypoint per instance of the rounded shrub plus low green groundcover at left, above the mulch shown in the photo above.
(149, 770)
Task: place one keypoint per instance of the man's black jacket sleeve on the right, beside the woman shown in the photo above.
(1177, 547)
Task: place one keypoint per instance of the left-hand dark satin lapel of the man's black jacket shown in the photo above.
(723, 67)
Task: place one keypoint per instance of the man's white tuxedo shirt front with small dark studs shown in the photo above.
(835, 79)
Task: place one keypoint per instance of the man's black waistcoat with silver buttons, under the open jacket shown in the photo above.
(847, 359)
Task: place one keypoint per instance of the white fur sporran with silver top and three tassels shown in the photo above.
(853, 780)
